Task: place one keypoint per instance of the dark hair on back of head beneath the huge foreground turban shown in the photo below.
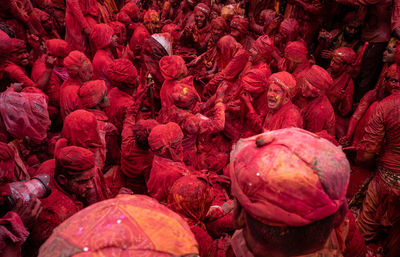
(292, 240)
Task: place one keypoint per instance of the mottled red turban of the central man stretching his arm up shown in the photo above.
(184, 95)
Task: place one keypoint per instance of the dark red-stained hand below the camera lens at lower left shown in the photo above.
(28, 211)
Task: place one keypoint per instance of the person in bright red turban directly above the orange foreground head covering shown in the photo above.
(166, 143)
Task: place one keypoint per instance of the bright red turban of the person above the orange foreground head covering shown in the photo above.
(164, 135)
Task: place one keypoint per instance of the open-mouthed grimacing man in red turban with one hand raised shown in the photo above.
(280, 112)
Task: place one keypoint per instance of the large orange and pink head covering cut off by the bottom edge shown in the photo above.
(129, 225)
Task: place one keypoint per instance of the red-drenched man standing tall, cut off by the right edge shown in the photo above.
(380, 209)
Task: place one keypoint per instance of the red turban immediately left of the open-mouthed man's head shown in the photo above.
(254, 81)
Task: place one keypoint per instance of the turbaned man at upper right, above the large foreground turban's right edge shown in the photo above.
(341, 93)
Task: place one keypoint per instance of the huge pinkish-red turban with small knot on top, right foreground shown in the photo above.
(289, 177)
